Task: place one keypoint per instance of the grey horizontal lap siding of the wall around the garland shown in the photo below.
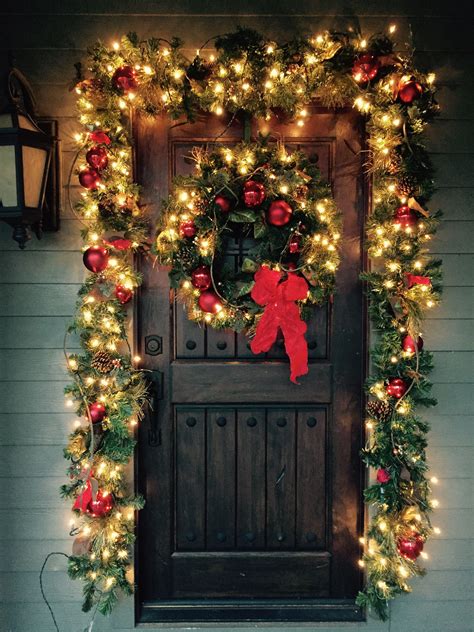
(39, 290)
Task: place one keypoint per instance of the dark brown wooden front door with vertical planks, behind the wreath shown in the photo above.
(252, 483)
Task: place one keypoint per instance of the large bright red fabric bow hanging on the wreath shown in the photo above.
(281, 312)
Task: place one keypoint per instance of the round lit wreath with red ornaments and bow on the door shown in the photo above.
(275, 199)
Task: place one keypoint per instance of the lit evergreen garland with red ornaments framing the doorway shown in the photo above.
(250, 73)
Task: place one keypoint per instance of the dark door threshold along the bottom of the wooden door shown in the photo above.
(250, 611)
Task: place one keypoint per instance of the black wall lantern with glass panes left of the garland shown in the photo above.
(26, 151)
